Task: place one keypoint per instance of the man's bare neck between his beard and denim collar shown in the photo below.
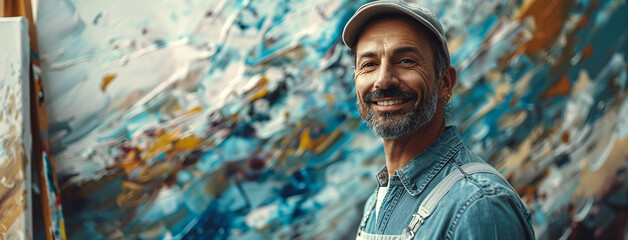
(400, 151)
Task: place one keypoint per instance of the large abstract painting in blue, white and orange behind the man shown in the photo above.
(236, 119)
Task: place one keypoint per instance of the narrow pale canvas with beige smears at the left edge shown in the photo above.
(15, 135)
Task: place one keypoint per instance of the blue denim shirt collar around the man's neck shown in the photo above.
(423, 167)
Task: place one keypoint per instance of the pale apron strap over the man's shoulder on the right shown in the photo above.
(431, 201)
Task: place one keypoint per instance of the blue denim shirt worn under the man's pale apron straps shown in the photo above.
(479, 206)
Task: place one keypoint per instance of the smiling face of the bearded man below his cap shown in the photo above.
(395, 80)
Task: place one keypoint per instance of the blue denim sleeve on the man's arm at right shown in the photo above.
(495, 216)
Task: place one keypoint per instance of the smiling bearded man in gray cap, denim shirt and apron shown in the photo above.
(432, 186)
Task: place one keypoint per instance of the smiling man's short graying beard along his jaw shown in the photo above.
(413, 119)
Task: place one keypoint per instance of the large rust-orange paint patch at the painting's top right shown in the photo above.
(549, 18)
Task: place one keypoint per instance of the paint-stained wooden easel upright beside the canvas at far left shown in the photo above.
(39, 121)
